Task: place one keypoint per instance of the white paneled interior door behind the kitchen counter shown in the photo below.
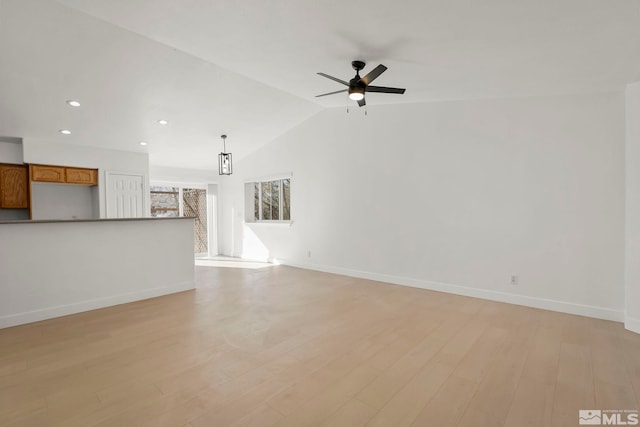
(125, 195)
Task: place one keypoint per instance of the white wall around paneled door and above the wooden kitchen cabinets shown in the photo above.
(50, 153)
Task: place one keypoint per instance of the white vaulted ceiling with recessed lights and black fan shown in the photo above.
(247, 68)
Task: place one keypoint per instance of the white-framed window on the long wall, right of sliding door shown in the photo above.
(271, 200)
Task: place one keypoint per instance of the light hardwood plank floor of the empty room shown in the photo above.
(287, 347)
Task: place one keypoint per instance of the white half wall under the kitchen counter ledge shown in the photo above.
(86, 265)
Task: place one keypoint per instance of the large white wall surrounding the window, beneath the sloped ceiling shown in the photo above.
(456, 196)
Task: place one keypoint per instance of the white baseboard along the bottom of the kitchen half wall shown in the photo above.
(64, 310)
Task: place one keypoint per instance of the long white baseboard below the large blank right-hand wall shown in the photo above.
(542, 303)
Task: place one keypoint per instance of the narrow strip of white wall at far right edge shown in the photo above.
(632, 254)
